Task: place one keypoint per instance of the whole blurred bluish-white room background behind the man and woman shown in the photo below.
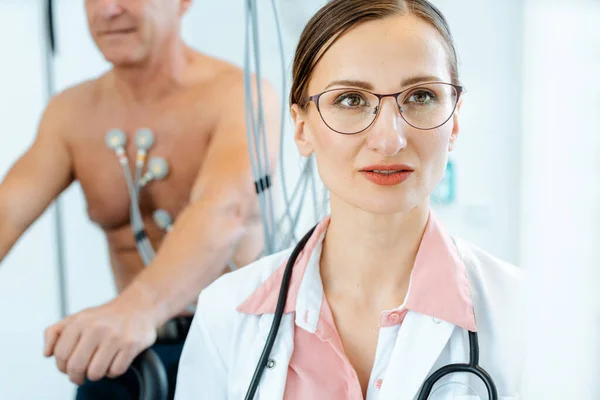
(523, 182)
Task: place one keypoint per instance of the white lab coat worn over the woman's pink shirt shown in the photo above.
(224, 345)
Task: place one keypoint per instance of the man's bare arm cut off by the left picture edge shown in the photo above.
(36, 179)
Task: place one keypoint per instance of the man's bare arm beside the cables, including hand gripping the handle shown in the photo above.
(103, 341)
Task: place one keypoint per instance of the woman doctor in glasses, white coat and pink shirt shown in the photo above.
(380, 296)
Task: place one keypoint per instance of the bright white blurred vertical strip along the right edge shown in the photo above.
(561, 197)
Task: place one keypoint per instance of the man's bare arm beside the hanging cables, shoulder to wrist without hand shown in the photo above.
(223, 197)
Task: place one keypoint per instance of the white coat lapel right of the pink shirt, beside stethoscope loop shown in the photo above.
(420, 342)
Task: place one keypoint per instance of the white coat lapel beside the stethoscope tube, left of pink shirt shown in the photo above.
(272, 384)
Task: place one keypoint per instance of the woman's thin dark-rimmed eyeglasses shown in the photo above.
(350, 111)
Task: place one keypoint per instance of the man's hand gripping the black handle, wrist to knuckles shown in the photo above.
(102, 341)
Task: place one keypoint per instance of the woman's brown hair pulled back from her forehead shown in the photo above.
(339, 16)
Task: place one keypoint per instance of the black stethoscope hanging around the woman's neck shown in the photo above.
(472, 367)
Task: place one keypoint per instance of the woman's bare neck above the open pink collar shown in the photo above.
(370, 257)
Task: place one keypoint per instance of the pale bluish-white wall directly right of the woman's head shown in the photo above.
(488, 37)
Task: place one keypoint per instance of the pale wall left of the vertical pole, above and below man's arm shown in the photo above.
(28, 280)
